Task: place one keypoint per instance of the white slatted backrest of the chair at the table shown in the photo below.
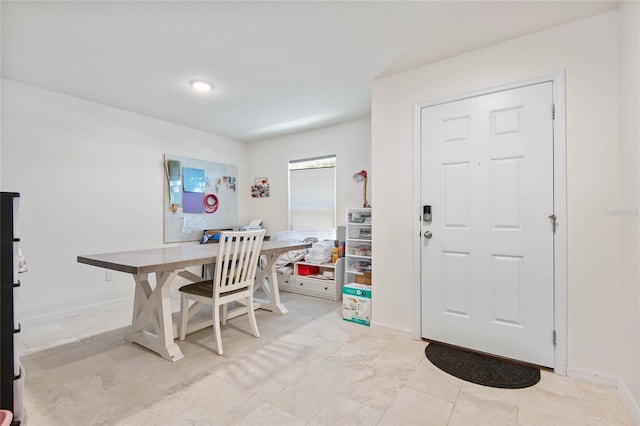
(237, 260)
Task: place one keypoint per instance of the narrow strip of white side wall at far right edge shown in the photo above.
(628, 294)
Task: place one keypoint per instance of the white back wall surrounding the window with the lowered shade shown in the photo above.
(350, 142)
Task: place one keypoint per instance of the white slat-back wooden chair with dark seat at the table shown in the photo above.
(233, 280)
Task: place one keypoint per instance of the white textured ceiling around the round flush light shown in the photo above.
(277, 67)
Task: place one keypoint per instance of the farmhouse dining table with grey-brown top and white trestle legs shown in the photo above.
(152, 322)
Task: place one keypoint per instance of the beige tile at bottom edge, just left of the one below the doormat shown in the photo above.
(416, 408)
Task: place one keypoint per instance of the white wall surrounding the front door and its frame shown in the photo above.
(588, 51)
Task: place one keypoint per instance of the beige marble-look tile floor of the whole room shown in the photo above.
(308, 367)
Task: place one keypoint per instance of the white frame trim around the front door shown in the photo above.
(559, 205)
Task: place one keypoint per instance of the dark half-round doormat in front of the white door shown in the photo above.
(481, 369)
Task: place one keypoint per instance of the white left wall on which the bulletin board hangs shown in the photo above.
(92, 181)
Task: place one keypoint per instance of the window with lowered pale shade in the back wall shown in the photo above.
(312, 193)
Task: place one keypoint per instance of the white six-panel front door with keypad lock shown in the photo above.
(487, 270)
